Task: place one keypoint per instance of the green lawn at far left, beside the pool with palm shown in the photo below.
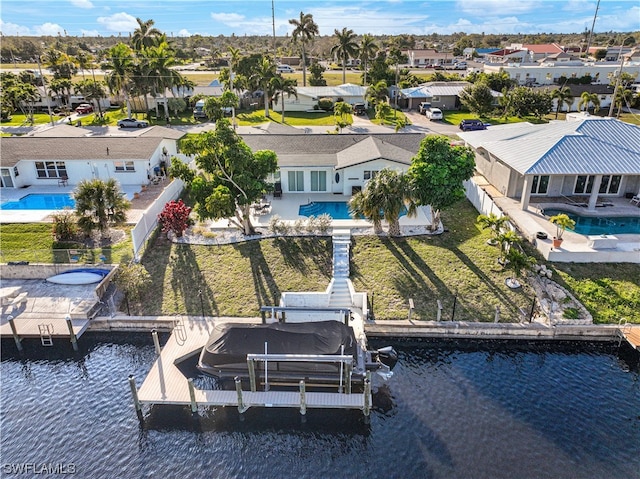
(33, 242)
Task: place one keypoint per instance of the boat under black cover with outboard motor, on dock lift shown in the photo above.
(291, 352)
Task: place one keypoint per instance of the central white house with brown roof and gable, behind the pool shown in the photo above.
(340, 164)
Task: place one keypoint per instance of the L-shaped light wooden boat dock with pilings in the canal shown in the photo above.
(166, 384)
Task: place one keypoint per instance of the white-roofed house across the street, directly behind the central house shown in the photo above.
(308, 96)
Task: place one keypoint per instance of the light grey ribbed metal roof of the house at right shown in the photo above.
(589, 146)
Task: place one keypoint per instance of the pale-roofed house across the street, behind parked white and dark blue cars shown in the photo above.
(443, 95)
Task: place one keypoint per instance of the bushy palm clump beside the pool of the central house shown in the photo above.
(385, 196)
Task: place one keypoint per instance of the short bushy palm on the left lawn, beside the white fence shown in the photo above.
(99, 204)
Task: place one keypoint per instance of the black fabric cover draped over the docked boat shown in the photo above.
(225, 353)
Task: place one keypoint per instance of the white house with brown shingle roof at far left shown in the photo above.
(52, 160)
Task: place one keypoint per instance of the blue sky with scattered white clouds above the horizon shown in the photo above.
(377, 17)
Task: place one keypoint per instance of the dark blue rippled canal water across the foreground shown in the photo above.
(454, 409)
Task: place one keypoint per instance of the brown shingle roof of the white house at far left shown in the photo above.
(15, 149)
